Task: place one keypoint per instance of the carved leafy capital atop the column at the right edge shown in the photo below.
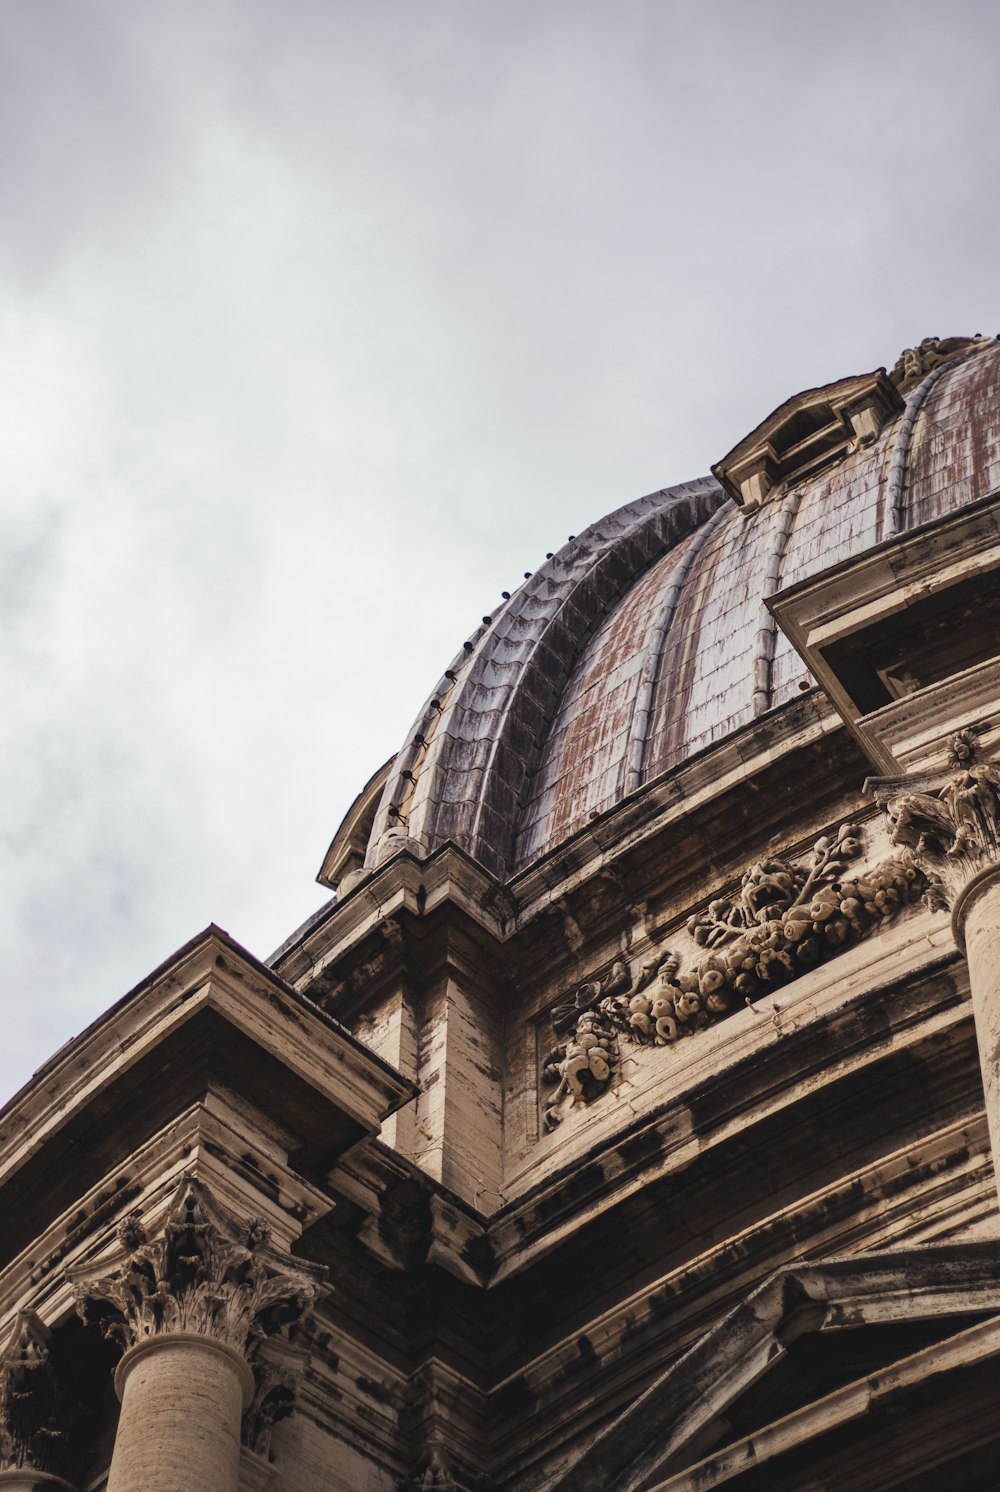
(951, 821)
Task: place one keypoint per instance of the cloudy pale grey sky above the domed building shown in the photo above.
(323, 323)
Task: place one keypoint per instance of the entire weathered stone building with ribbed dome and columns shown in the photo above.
(625, 1121)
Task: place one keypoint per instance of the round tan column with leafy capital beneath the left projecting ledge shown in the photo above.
(190, 1308)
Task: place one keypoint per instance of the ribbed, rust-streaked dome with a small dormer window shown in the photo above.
(647, 639)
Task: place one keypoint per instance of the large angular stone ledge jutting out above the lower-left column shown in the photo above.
(211, 1021)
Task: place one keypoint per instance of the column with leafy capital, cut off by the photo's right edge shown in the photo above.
(951, 824)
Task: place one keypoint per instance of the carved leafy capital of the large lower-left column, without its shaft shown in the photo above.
(204, 1273)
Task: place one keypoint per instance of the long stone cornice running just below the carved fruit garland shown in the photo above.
(743, 1072)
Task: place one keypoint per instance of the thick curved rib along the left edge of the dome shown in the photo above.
(465, 768)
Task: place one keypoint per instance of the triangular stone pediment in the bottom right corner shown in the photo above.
(792, 1355)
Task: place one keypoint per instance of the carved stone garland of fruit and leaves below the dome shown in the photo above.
(787, 918)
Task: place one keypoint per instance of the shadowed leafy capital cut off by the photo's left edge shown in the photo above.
(37, 1423)
